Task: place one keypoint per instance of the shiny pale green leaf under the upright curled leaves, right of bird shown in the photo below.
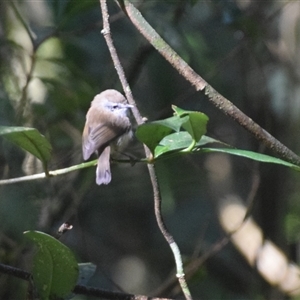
(178, 141)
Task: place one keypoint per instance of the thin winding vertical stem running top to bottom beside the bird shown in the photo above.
(155, 186)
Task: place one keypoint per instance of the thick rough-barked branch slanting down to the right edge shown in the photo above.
(200, 84)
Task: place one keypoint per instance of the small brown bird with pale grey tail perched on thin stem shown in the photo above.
(107, 130)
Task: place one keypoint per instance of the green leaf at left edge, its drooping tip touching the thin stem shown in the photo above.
(29, 139)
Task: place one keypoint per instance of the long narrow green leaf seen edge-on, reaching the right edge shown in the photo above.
(252, 155)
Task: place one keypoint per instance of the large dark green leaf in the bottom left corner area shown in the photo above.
(55, 269)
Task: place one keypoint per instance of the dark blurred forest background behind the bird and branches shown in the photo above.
(247, 50)
